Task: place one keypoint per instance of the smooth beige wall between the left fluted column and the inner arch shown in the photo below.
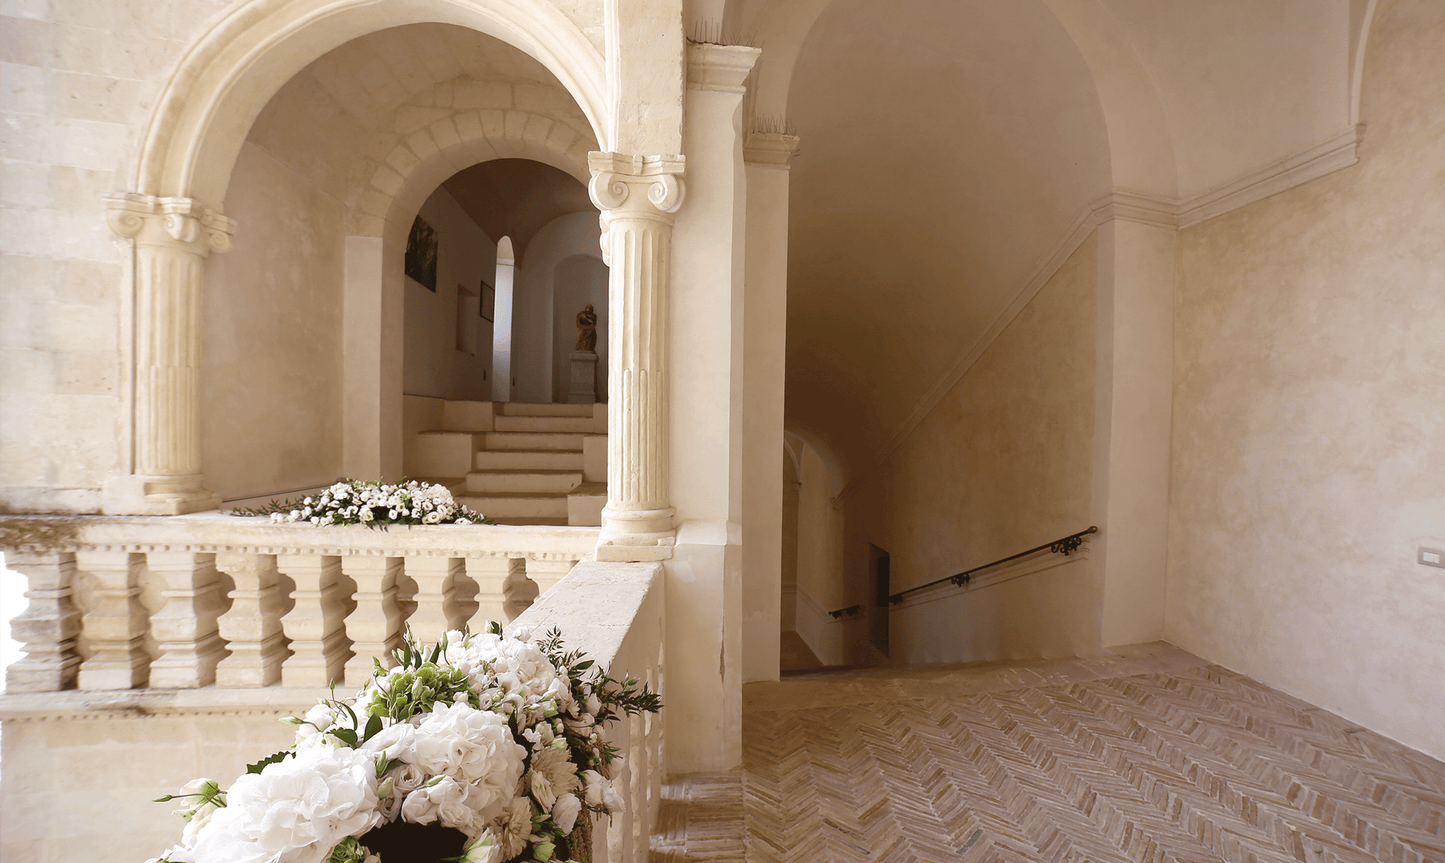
(271, 336)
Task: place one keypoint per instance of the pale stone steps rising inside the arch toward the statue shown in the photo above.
(518, 463)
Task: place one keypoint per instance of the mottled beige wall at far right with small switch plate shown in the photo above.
(1310, 416)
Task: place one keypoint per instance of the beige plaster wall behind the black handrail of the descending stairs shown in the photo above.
(1001, 466)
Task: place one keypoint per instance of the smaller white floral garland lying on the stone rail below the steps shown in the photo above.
(372, 504)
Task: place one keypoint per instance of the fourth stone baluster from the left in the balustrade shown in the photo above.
(252, 628)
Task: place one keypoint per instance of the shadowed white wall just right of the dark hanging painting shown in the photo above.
(434, 365)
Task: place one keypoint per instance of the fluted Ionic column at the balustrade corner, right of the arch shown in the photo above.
(638, 197)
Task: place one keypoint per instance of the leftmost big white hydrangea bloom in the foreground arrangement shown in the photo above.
(296, 810)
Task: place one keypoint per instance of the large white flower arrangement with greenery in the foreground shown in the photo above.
(488, 750)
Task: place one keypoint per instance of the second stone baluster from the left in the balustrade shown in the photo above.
(116, 624)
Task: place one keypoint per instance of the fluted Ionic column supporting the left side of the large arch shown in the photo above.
(173, 239)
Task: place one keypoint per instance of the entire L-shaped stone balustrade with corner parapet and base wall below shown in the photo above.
(245, 624)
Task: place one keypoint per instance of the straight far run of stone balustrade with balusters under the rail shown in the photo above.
(202, 601)
